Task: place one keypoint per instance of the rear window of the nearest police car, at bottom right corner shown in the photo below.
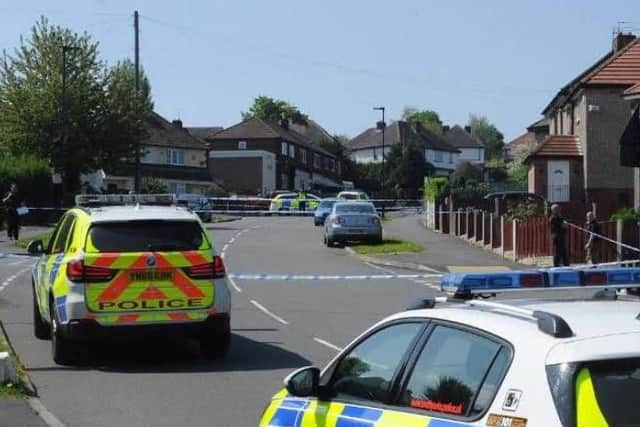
(616, 384)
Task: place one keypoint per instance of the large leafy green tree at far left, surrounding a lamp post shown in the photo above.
(75, 127)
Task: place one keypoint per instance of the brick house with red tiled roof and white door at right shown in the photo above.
(579, 162)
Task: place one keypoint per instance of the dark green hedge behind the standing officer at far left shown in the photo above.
(33, 177)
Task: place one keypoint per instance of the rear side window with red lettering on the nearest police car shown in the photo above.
(455, 376)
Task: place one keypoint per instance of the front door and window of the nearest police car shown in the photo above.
(359, 384)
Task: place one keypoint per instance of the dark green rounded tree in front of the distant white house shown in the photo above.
(407, 167)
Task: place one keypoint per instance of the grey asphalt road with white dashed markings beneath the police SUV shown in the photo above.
(277, 326)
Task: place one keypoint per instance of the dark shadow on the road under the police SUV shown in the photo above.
(168, 355)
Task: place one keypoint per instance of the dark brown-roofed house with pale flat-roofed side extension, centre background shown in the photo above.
(257, 157)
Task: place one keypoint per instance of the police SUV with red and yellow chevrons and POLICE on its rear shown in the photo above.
(128, 263)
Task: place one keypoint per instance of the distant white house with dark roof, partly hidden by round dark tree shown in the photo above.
(367, 146)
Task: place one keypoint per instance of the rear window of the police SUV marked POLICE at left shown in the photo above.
(139, 236)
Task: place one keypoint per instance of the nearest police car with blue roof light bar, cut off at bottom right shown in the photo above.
(475, 362)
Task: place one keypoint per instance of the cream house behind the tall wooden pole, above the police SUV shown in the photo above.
(169, 153)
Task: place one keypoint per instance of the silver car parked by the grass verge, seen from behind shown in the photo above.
(350, 221)
